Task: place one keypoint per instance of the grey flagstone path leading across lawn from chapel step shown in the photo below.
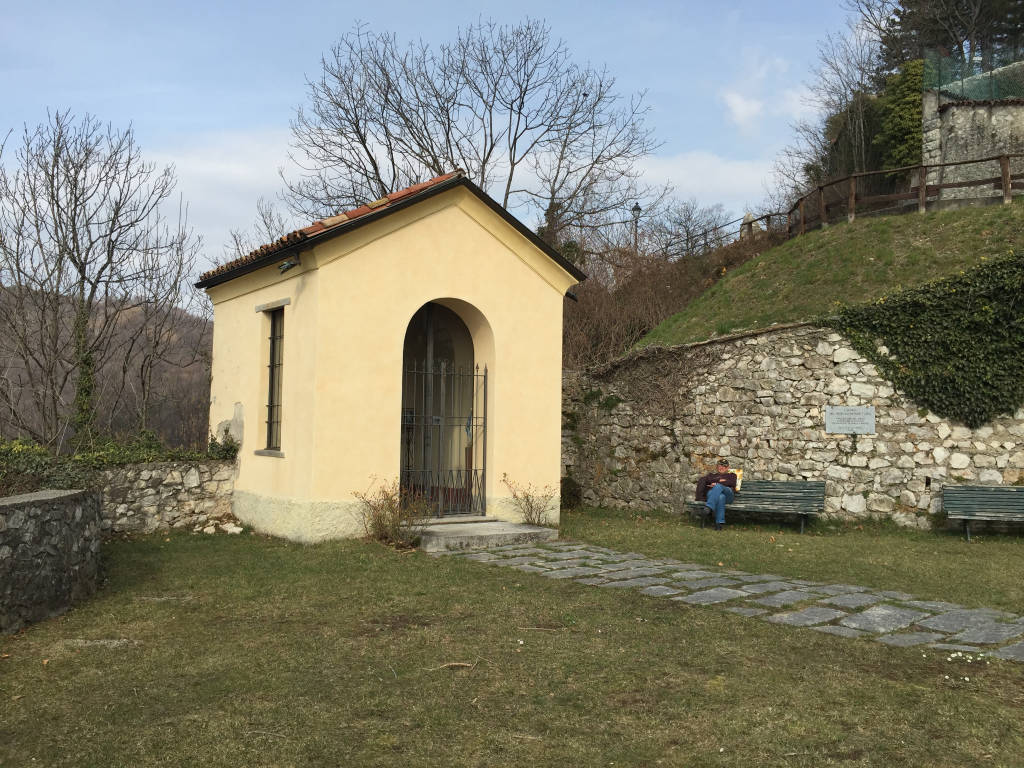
(845, 610)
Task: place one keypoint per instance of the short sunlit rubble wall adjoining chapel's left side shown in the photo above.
(145, 498)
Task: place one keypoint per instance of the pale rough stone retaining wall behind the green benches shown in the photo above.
(639, 433)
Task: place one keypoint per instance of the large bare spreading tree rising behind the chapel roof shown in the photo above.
(505, 104)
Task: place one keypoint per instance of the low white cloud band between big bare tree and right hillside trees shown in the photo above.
(738, 185)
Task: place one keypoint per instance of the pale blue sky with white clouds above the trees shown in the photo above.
(211, 87)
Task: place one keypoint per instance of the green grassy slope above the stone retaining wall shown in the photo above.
(848, 264)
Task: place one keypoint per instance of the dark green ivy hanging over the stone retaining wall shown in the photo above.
(955, 347)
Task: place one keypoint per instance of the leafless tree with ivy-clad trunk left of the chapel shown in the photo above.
(89, 264)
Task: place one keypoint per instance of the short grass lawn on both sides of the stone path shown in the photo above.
(252, 652)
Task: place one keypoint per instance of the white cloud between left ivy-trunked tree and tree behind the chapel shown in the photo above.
(222, 177)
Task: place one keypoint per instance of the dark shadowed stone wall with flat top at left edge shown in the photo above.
(50, 554)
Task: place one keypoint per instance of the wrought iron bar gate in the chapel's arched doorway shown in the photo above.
(445, 437)
